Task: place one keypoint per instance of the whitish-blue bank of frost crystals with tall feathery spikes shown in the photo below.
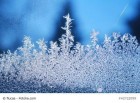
(113, 66)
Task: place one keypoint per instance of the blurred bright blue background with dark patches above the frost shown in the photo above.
(44, 18)
